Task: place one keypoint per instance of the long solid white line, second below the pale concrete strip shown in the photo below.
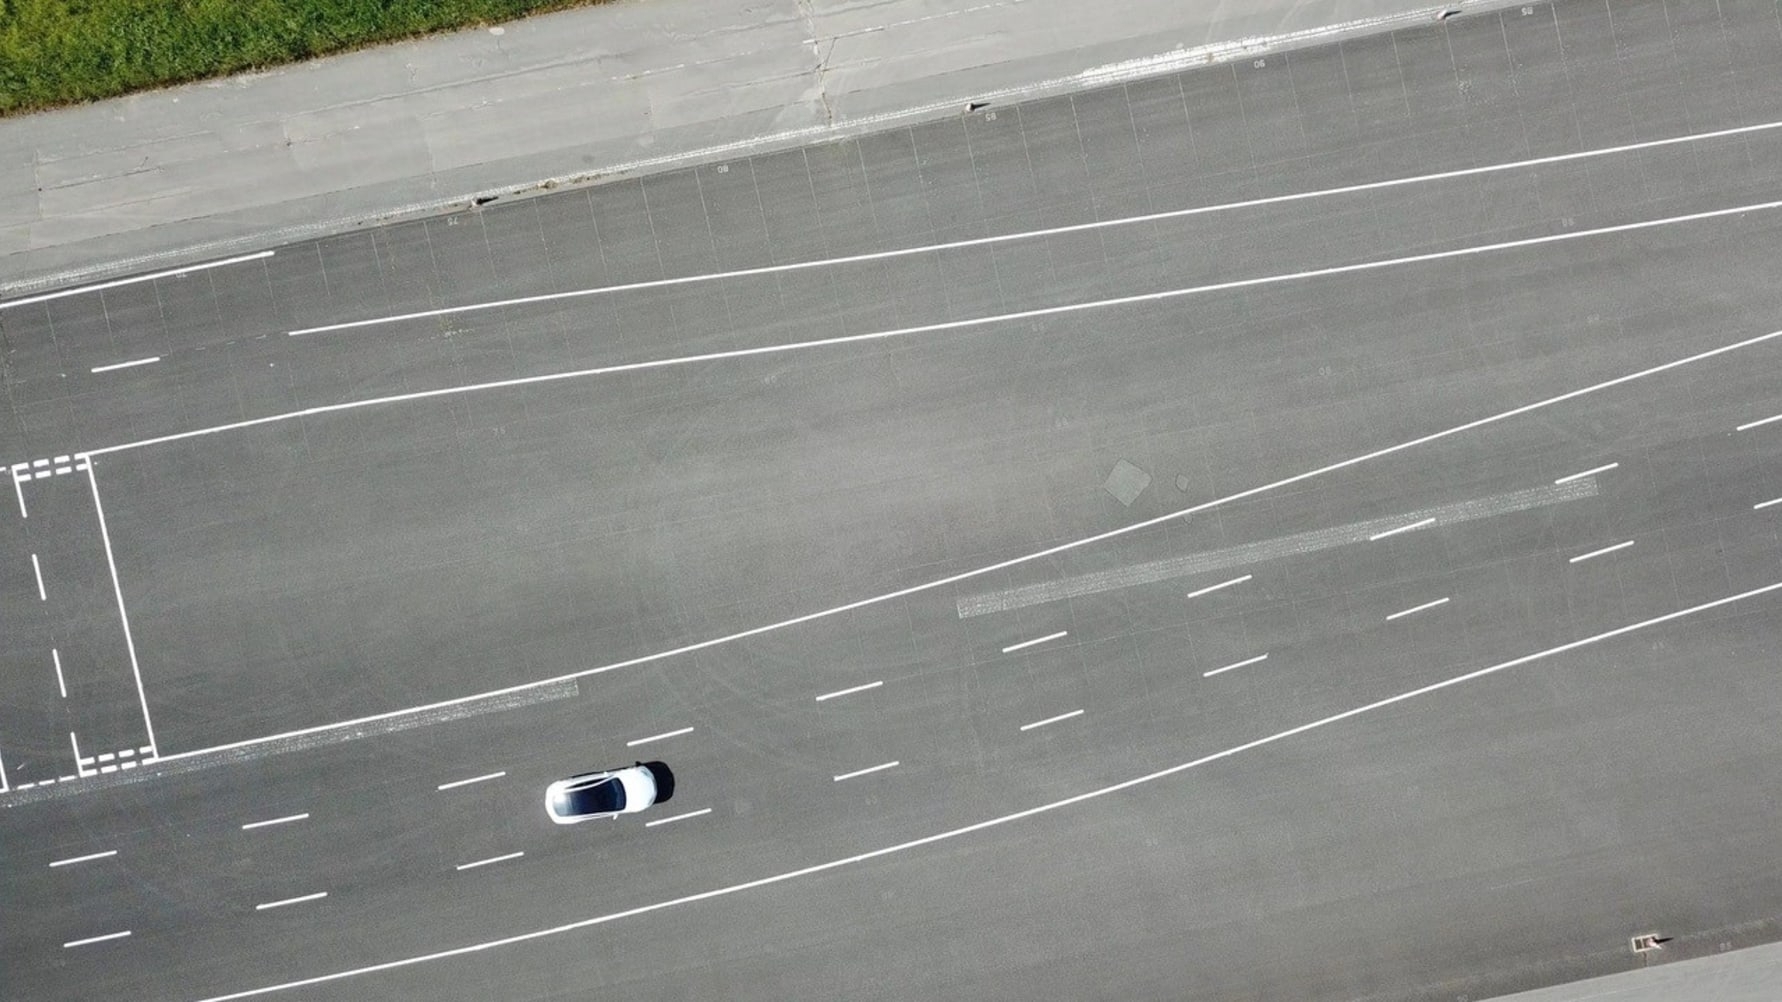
(949, 325)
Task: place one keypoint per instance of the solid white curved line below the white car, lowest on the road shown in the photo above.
(986, 825)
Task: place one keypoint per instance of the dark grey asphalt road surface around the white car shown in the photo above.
(1293, 530)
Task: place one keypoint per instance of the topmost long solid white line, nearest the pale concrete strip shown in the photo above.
(1047, 233)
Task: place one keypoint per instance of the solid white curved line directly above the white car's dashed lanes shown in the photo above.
(988, 568)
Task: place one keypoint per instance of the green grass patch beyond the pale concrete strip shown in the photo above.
(56, 53)
